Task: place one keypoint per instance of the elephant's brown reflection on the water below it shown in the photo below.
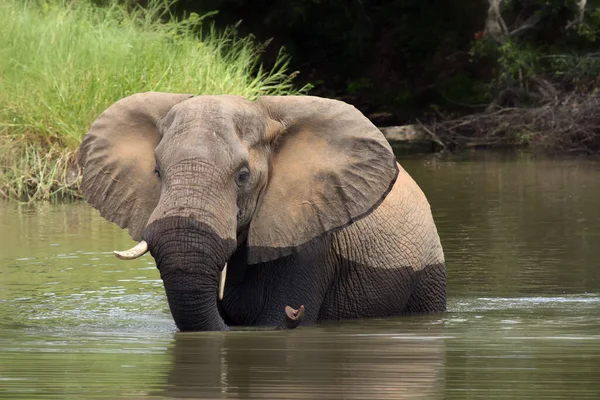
(319, 363)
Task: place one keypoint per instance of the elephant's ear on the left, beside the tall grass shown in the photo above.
(117, 157)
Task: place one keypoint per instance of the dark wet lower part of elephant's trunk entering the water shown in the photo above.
(190, 258)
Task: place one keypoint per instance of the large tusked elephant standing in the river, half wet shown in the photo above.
(249, 206)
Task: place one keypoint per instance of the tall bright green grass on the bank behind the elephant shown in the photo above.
(63, 62)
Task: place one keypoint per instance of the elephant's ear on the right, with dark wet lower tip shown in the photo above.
(330, 167)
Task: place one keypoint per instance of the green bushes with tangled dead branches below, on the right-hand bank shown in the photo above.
(543, 91)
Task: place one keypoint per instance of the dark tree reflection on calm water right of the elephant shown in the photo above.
(516, 224)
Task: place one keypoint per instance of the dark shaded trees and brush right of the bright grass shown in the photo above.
(400, 61)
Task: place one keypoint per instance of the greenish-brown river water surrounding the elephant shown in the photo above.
(522, 241)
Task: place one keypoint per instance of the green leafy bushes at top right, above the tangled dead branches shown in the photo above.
(543, 41)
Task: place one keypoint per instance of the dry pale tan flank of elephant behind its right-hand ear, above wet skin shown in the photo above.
(399, 233)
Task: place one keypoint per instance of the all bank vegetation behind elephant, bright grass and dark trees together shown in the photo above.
(64, 61)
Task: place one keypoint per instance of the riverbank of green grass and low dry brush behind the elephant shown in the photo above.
(66, 62)
